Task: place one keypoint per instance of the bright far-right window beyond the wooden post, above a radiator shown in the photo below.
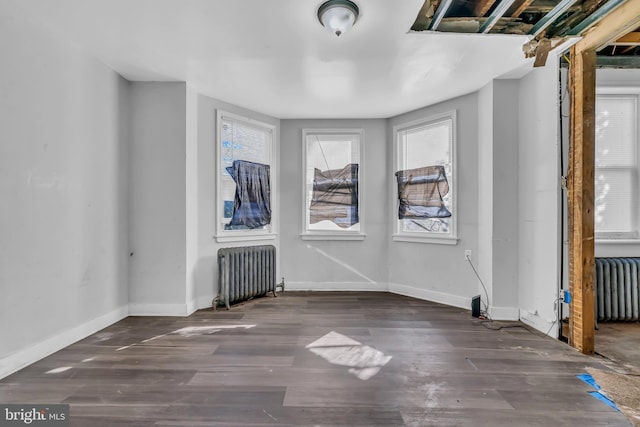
(616, 172)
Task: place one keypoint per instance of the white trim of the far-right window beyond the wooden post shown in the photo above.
(633, 237)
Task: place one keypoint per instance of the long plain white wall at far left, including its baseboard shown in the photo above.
(63, 185)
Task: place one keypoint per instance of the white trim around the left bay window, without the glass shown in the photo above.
(223, 235)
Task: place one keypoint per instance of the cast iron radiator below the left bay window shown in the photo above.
(244, 273)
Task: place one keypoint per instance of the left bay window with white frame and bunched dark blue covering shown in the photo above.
(245, 159)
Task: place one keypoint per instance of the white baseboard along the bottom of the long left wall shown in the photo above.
(32, 354)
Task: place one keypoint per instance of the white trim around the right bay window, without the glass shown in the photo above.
(452, 237)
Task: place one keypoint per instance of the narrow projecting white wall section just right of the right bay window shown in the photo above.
(497, 257)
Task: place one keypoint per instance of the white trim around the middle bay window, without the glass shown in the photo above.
(334, 235)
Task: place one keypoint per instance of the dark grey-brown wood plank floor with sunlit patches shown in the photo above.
(316, 359)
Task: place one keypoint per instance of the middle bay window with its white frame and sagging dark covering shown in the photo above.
(332, 184)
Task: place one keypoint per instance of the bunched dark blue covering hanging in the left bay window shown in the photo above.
(252, 202)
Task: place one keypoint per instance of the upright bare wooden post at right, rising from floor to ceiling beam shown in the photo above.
(580, 201)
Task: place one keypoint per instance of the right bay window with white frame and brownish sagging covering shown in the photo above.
(424, 182)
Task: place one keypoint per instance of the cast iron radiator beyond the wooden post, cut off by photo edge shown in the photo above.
(617, 289)
